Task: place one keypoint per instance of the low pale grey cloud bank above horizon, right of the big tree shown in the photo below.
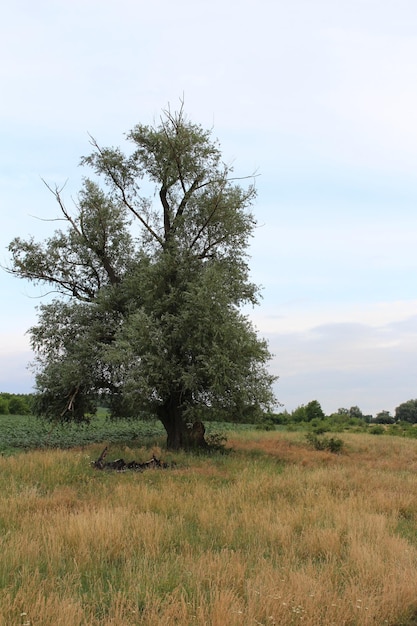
(346, 364)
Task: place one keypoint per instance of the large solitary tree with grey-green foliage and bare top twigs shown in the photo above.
(150, 289)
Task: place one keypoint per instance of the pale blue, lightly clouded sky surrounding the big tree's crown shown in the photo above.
(318, 97)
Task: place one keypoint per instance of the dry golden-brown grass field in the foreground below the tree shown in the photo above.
(274, 532)
